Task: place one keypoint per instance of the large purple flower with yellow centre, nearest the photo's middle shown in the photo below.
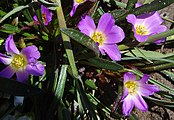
(106, 34)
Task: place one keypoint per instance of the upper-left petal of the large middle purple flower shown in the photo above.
(87, 25)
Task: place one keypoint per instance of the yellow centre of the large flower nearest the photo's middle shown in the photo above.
(98, 37)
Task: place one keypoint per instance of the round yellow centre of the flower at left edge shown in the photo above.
(19, 61)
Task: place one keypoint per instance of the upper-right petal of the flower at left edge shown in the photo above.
(31, 52)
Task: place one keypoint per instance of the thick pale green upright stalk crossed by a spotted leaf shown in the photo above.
(66, 39)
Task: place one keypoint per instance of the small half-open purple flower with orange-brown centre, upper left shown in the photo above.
(46, 15)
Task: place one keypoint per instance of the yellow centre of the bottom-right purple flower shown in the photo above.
(131, 86)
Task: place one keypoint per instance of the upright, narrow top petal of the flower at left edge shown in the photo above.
(10, 45)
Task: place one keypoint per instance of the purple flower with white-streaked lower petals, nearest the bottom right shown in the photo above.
(133, 92)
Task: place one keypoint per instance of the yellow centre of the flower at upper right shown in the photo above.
(141, 30)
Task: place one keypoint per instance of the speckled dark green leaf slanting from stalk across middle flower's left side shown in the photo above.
(82, 39)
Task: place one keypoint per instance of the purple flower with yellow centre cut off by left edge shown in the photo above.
(22, 63)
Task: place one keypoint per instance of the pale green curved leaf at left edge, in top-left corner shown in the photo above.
(15, 10)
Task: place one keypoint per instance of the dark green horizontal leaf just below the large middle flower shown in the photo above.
(105, 64)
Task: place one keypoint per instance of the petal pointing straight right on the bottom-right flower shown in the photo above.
(146, 89)
